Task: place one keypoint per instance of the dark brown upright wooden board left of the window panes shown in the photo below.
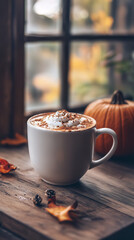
(12, 68)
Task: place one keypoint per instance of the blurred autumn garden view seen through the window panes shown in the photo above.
(97, 62)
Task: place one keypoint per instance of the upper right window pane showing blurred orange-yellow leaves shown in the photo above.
(102, 16)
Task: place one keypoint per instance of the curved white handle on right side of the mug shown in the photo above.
(95, 163)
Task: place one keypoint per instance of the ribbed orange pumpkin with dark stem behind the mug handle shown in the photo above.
(118, 114)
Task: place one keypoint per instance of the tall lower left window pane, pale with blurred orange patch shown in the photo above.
(42, 87)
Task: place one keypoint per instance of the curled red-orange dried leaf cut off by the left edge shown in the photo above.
(5, 166)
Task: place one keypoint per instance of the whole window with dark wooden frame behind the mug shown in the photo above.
(73, 51)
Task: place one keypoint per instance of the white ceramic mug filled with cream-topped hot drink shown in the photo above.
(61, 145)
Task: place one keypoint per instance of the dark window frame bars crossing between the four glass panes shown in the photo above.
(65, 38)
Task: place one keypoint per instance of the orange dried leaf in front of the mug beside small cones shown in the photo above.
(62, 213)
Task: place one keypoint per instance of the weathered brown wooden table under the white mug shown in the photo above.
(105, 197)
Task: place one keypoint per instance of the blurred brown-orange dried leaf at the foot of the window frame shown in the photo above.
(18, 140)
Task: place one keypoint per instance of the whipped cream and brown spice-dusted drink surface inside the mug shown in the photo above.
(63, 121)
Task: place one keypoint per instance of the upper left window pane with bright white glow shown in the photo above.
(43, 16)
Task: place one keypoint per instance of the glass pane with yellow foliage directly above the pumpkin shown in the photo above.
(97, 69)
